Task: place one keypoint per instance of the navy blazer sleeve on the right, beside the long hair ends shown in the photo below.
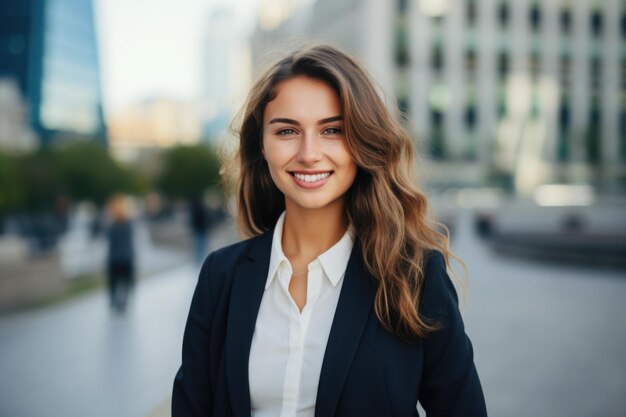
(450, 385)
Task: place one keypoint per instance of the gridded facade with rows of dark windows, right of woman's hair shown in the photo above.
(535, 87)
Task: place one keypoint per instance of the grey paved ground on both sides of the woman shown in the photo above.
(549, 341)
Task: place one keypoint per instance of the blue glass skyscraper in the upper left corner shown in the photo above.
(50, 48)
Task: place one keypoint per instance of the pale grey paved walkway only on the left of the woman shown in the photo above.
(79, 359)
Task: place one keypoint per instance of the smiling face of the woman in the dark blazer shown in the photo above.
(305, 146)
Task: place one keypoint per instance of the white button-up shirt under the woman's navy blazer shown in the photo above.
(288, 345)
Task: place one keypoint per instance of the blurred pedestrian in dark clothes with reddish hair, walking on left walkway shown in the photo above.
(121, 254)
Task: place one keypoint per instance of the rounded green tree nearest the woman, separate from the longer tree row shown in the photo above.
(188, 170)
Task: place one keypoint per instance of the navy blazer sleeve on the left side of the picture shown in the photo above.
(192, 393)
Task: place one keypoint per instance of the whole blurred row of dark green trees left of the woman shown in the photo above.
(39, 181)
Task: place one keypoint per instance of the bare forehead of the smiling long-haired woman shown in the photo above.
(303, 98)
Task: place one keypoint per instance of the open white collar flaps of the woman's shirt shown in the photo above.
(334, 261)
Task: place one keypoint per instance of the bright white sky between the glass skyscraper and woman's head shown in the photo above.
(152, 48)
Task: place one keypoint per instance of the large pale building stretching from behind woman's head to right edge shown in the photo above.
(530, 90)
